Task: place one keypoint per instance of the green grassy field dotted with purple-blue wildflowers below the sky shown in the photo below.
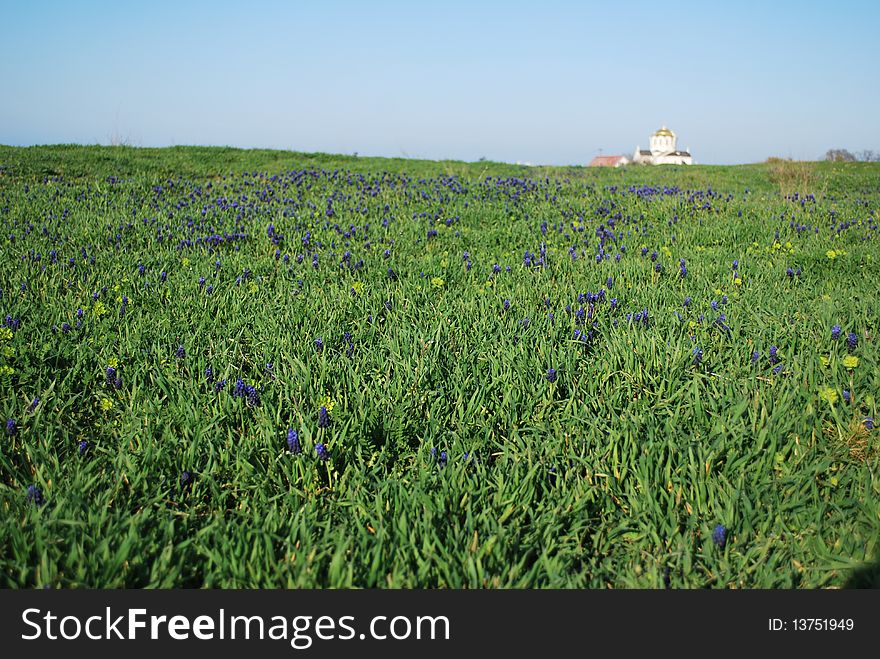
(523, 385)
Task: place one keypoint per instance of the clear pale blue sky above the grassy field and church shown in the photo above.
(547, 82)
